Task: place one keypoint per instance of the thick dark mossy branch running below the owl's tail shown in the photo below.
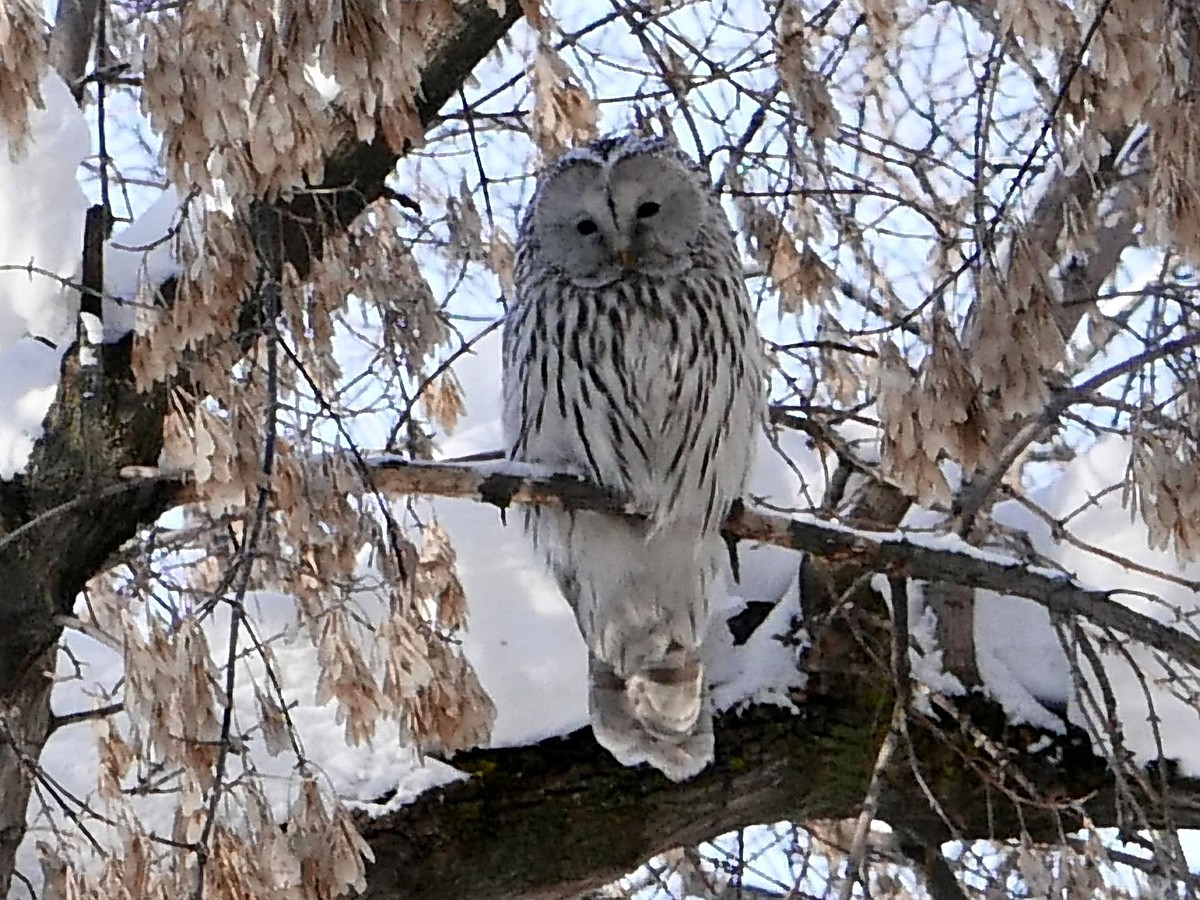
(560, 818)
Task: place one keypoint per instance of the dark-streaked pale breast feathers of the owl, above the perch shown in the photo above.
(641, 386)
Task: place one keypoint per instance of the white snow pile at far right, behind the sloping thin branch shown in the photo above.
(1023, 661)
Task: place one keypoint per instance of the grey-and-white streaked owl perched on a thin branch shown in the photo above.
(633, 361)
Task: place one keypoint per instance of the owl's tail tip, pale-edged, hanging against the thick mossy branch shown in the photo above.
(658, 717)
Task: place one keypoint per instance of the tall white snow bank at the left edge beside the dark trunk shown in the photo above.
(43, 212)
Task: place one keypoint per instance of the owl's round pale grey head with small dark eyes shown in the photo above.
(616, 208)
